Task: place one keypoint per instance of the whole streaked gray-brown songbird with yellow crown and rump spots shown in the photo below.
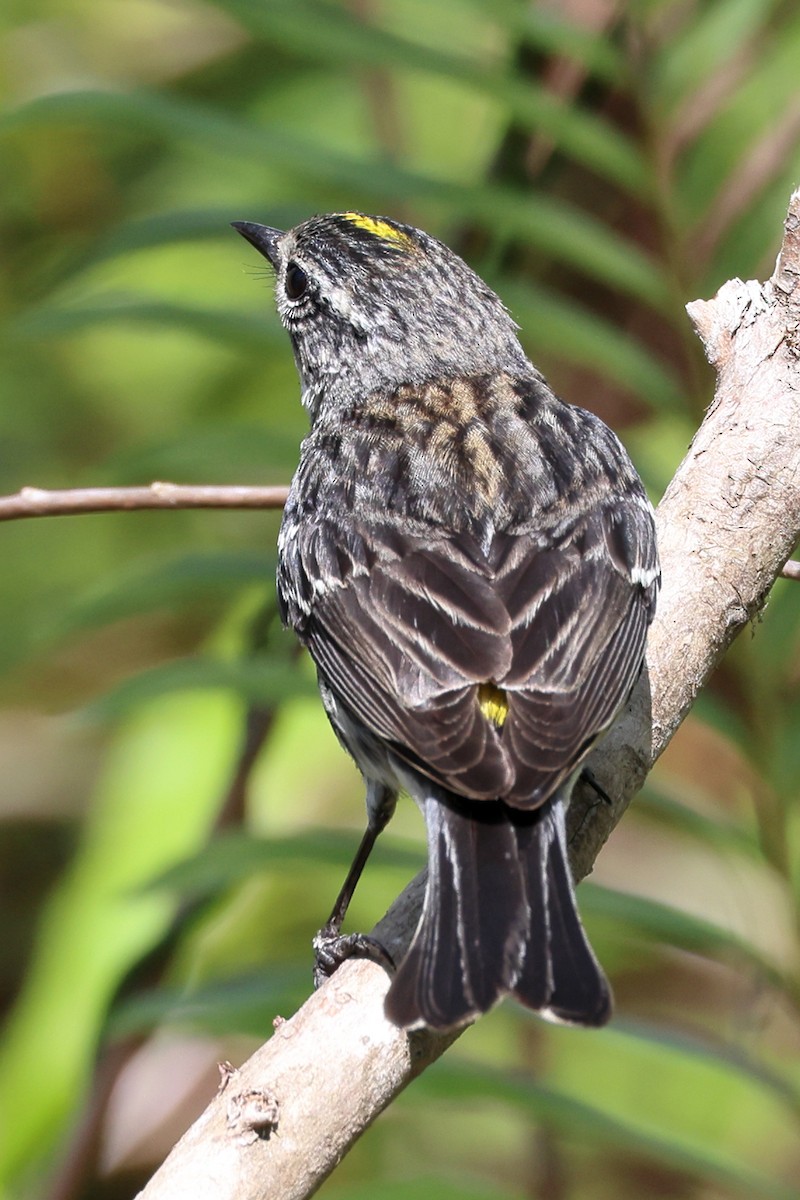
(472, 565)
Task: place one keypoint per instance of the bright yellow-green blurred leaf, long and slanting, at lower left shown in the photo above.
(155, 801)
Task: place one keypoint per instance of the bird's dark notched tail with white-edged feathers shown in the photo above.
(500, 917)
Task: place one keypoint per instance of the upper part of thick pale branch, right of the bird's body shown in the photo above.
(727, 525)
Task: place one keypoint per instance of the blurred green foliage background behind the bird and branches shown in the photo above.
(176, 817)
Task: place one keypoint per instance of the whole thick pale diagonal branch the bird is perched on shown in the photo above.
(727, 525)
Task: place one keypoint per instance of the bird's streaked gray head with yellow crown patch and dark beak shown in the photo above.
(371, 304)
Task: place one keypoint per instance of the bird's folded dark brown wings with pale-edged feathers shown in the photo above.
(406, 643)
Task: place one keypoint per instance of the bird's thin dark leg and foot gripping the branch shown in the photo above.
(332, 947)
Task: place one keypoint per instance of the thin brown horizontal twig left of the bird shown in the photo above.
(37, 502)
